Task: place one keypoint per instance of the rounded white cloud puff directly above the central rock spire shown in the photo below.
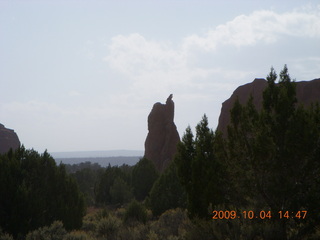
(154, 67)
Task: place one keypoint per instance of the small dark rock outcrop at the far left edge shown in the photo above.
(8, 139)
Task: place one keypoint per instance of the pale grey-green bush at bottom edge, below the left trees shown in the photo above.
(55, 231)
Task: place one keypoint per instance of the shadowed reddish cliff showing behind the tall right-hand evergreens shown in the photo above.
(307, 92)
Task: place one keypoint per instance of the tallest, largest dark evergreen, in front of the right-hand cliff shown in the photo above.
(273, 156)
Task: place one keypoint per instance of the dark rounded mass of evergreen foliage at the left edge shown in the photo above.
(35, 192)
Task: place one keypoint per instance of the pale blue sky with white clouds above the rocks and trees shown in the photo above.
(84, 75)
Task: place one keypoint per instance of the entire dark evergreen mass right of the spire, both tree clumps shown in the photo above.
(269, 161)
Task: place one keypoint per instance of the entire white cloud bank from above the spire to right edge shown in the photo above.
(157, 65)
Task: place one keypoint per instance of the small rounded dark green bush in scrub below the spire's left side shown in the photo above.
(135, 212)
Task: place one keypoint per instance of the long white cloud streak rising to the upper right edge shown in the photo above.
(260, 26)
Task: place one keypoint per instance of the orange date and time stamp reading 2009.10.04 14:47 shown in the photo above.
(258, 215)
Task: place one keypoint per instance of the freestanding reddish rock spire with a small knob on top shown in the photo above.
(163, 137)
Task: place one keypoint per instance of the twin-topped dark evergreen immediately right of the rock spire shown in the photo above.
(199, 170)
